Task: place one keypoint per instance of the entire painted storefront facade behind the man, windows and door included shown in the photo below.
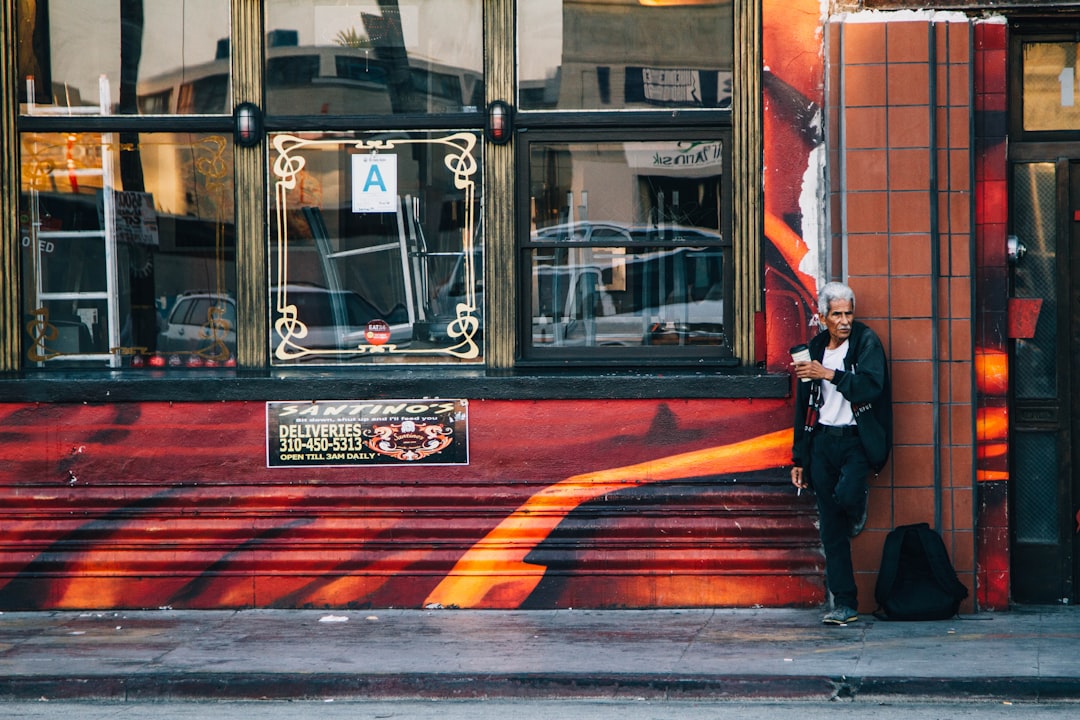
(628, 401)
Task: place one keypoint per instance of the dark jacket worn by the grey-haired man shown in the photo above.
(865, 383)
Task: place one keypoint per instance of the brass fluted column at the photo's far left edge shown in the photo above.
(10, 316)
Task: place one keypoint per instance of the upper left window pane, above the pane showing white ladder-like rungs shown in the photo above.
(150, 58)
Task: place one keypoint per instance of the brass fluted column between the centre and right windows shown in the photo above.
(501, 261)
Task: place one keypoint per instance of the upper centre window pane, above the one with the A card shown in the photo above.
(366, 58)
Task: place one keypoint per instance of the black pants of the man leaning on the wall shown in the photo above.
(839, 471)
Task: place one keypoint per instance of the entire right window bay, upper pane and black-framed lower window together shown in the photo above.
(625, 240)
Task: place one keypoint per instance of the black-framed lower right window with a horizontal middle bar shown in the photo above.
(627, 255)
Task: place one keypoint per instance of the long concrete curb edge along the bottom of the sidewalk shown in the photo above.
(299, 686)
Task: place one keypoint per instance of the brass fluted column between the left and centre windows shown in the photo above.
(251, 195)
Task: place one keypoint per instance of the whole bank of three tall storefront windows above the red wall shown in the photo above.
(372, 128)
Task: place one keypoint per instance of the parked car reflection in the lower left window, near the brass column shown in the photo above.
(198, 321)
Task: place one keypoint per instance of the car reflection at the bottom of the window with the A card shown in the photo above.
(332, 320)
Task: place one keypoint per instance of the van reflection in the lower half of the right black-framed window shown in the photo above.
(616, 297)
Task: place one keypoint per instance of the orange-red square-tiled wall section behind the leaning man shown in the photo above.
(904, 153)
